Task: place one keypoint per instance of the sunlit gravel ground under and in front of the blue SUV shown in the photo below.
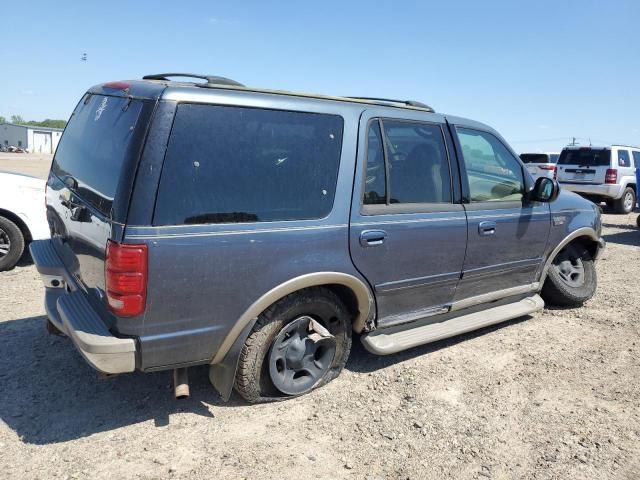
(553, 396)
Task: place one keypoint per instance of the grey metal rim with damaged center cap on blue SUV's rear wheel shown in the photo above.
(301, 355)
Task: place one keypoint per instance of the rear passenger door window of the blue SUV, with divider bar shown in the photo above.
(417, 166)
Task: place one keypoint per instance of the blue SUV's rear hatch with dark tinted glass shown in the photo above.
(90, 182)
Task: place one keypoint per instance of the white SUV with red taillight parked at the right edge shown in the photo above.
(601, 174)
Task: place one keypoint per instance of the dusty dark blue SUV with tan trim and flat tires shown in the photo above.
(257, 231)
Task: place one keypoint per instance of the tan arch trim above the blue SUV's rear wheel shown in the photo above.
(361, 291)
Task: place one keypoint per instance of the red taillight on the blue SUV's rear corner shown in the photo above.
(126, 278)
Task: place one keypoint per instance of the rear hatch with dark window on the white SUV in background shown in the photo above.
(585, 165)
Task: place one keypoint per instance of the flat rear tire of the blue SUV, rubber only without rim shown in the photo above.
(253, 381)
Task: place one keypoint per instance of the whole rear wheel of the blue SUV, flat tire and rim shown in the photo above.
(298, 344)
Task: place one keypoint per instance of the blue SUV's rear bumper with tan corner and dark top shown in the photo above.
(70, 311)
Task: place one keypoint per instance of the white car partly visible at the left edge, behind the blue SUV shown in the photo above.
(23, 216)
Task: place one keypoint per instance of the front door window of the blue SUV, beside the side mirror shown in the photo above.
(494, 173)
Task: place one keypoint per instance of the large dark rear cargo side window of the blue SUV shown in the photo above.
(233, 164)
